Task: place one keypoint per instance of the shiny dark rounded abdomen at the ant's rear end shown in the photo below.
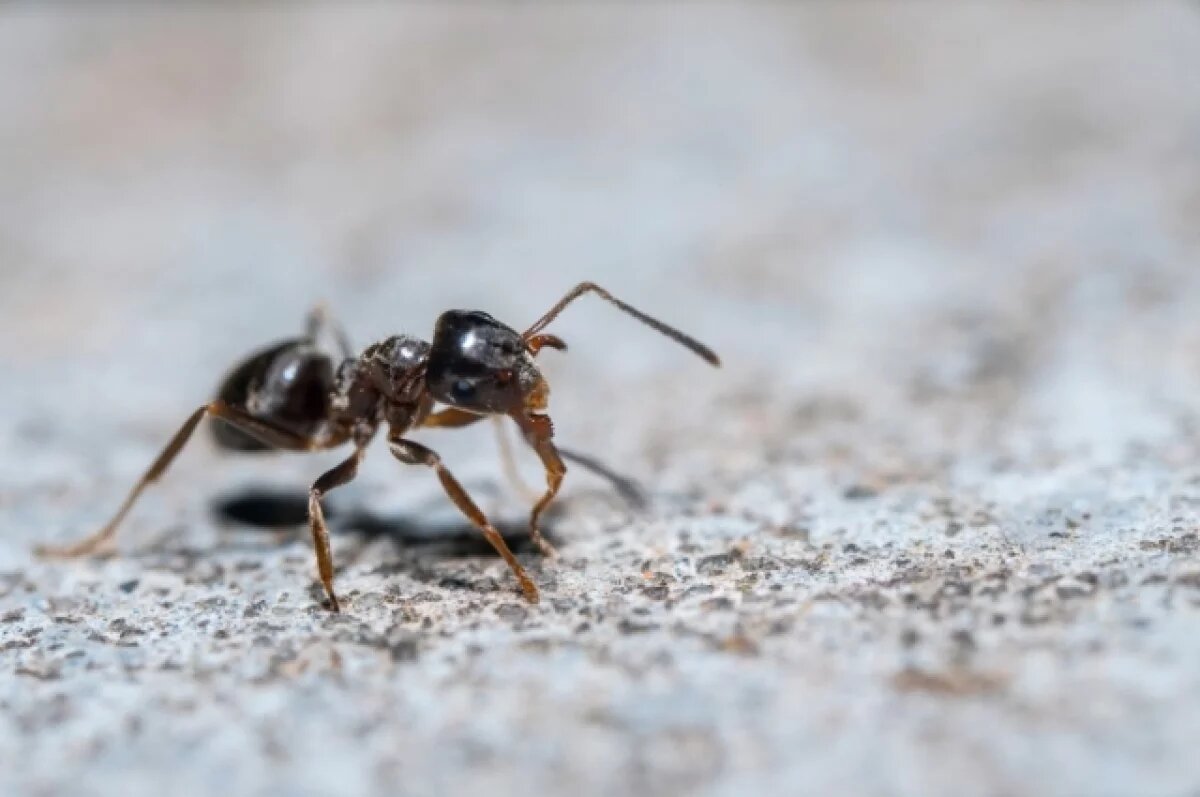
(287, 385)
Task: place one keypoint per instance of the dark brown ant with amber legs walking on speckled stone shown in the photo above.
(290, 397)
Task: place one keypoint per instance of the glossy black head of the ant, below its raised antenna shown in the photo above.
(481, 365)
